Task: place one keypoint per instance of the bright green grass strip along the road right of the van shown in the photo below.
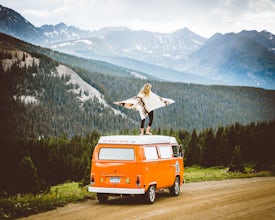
(198, 174)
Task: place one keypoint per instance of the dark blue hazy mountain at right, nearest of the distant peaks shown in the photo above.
(234, 59)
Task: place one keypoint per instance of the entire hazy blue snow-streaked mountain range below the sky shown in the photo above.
(246, 58)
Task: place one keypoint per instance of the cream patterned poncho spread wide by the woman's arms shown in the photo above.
(145, 104)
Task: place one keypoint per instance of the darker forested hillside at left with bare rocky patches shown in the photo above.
(36, 102)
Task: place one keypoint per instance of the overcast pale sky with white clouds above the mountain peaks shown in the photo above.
(204, 17)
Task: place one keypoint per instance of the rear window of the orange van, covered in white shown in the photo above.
(116, 153)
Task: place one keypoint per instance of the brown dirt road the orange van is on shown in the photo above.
(252, 198)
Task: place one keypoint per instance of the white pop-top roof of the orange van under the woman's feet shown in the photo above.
(137, 139)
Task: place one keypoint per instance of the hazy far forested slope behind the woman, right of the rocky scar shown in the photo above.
(196, 106)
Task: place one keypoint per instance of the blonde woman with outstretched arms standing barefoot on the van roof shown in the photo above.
(145, 102)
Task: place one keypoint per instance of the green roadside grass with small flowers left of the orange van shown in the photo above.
(27, 204)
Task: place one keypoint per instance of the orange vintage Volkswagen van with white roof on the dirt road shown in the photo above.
(136, 164)
